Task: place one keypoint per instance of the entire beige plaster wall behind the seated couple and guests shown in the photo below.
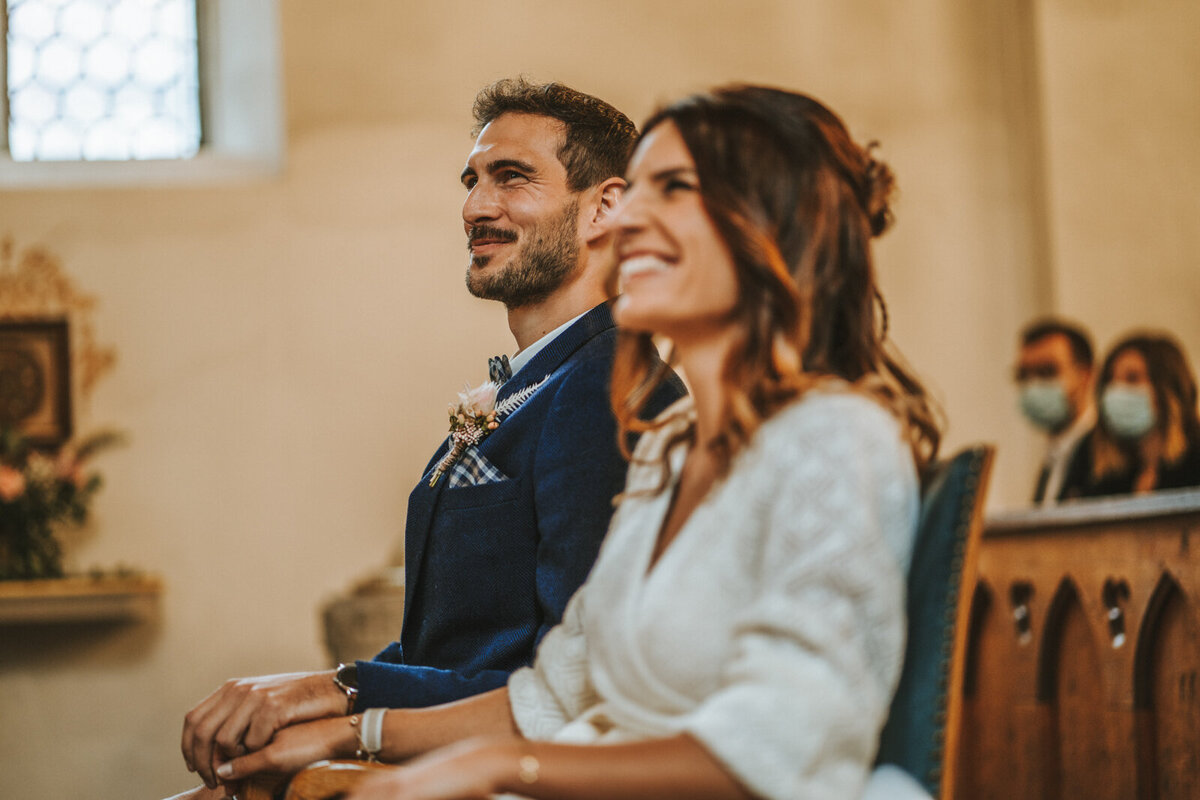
(287, 347)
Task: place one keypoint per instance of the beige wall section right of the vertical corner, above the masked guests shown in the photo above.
(1123, 124)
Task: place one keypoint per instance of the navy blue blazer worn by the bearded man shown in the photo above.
(490, 568)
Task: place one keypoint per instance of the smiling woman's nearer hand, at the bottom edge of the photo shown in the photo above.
(470, 771)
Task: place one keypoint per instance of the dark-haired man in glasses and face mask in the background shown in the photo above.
(1054, 372)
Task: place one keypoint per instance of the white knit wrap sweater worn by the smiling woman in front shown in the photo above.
(772, 628)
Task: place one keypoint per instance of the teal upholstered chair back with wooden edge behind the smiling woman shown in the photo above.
(922, 727)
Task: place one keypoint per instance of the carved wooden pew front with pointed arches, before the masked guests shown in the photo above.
(1084, 652)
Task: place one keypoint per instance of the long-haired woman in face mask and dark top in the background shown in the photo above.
(1149, 434)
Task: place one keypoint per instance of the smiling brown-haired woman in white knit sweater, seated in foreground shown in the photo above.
(742, 631)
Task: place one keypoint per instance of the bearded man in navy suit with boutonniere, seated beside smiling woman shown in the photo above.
(499, 540)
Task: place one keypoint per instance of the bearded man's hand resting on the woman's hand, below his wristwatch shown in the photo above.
(245, 713)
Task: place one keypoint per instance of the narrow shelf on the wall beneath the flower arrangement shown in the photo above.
(79, 600)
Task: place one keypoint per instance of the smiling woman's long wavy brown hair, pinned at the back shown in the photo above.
(796, 202)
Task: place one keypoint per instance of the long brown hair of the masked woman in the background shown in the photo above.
(1175, 398)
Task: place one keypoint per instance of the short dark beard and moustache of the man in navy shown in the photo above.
(538, 269)
